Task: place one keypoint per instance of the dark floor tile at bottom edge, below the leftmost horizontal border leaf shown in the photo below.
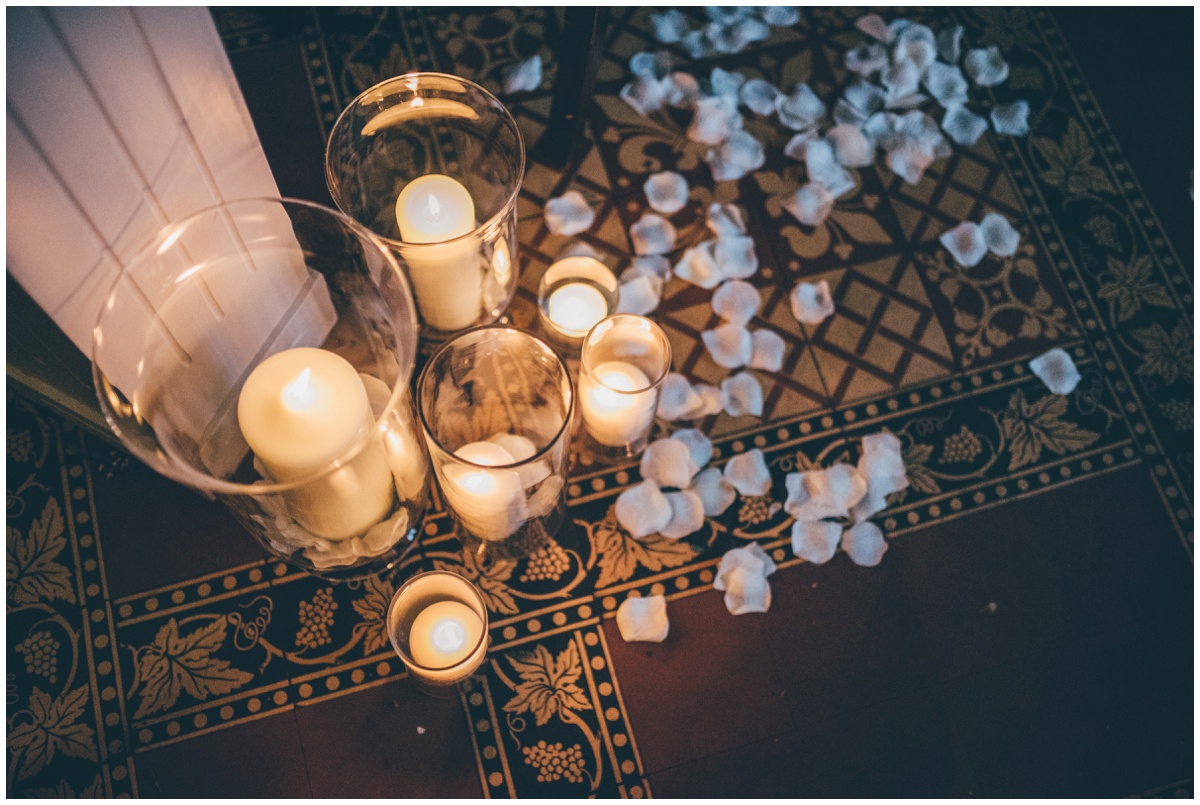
(262, 759)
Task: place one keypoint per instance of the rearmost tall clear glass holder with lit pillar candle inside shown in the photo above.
(433, 164)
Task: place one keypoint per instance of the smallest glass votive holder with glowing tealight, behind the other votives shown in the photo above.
(574, 296)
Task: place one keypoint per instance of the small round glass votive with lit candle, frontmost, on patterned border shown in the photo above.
(437, 623)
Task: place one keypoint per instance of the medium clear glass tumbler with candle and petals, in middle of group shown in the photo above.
(496, 408)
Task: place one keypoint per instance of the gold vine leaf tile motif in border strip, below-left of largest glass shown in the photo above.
(175, 665)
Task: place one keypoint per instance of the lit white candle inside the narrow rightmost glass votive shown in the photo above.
(617, 404)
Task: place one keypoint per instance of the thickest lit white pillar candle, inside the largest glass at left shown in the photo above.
(302, 410)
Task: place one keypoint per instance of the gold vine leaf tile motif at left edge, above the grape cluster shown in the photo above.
(32, 573)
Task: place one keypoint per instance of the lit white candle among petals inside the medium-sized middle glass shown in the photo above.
(490, 503)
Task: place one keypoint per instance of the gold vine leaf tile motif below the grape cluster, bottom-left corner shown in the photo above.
(50, 726)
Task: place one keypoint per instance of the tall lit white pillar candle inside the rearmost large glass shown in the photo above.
(447, 278)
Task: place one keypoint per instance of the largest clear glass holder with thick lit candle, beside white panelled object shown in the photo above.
(261, 352)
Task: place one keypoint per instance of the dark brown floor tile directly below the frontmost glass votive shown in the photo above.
(371, 744)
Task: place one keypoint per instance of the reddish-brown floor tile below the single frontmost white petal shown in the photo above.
(709, 688)
